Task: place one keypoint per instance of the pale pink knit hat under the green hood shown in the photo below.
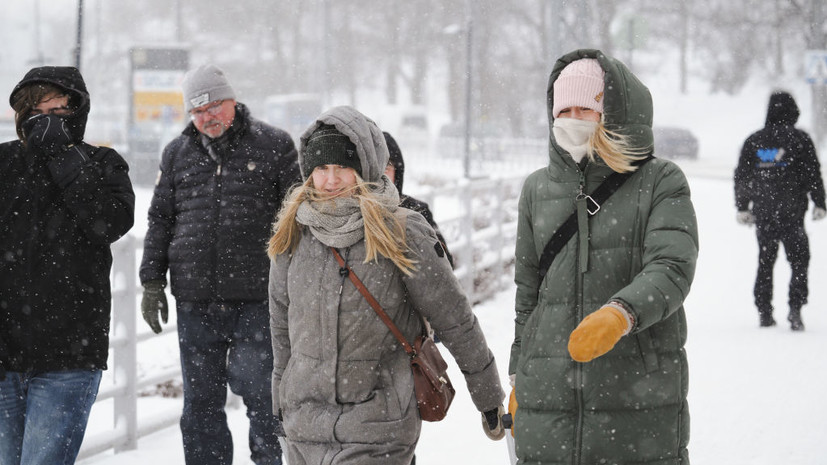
(580, 84)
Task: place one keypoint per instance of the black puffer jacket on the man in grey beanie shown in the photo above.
(209, 220)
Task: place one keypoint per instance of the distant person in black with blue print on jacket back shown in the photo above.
(777, 169)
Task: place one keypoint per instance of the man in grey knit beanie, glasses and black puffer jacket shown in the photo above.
(220, 185)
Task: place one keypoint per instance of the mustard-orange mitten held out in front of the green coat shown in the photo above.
(598, 333)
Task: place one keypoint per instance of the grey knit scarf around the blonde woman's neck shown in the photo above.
(338, 222)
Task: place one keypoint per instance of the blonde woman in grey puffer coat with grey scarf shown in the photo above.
(341, 381)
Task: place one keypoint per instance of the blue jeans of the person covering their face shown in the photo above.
(43, 416)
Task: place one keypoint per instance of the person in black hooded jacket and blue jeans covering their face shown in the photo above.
(62, 203)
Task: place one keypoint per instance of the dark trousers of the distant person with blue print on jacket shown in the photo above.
(797, 249)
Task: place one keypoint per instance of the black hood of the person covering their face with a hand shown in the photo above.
(69, 79)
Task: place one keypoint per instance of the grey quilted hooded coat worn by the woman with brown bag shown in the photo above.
(342, 381)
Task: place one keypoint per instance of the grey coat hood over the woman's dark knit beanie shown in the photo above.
(362, 131)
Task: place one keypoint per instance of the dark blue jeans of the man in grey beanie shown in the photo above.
(225, 343)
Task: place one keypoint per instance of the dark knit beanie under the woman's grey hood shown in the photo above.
(328, 146)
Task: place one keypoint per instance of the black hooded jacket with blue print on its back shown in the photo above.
(778, 168)
